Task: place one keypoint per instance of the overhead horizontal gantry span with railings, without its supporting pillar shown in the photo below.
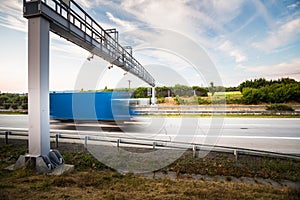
(70, 21)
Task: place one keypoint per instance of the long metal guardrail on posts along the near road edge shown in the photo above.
(138, 142)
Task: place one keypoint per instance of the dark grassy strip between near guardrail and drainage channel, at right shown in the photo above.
(224, 164)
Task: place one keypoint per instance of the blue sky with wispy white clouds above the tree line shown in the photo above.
(192, 42)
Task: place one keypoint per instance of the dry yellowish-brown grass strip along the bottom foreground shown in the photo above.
(81, 185)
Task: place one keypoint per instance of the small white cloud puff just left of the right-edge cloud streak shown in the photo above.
(233, 51)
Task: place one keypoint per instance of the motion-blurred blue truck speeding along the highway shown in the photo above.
(101, 106)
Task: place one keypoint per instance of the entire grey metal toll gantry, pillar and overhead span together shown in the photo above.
(67, 19)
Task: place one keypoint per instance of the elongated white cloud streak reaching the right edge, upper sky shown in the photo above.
(285, 34)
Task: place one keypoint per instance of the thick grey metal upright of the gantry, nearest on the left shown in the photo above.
(38, 86)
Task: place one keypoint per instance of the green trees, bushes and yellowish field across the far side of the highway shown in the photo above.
(271, 93)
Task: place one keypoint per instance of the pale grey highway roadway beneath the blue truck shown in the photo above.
(270, 134)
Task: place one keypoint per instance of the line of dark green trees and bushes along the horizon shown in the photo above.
(255, 91)
